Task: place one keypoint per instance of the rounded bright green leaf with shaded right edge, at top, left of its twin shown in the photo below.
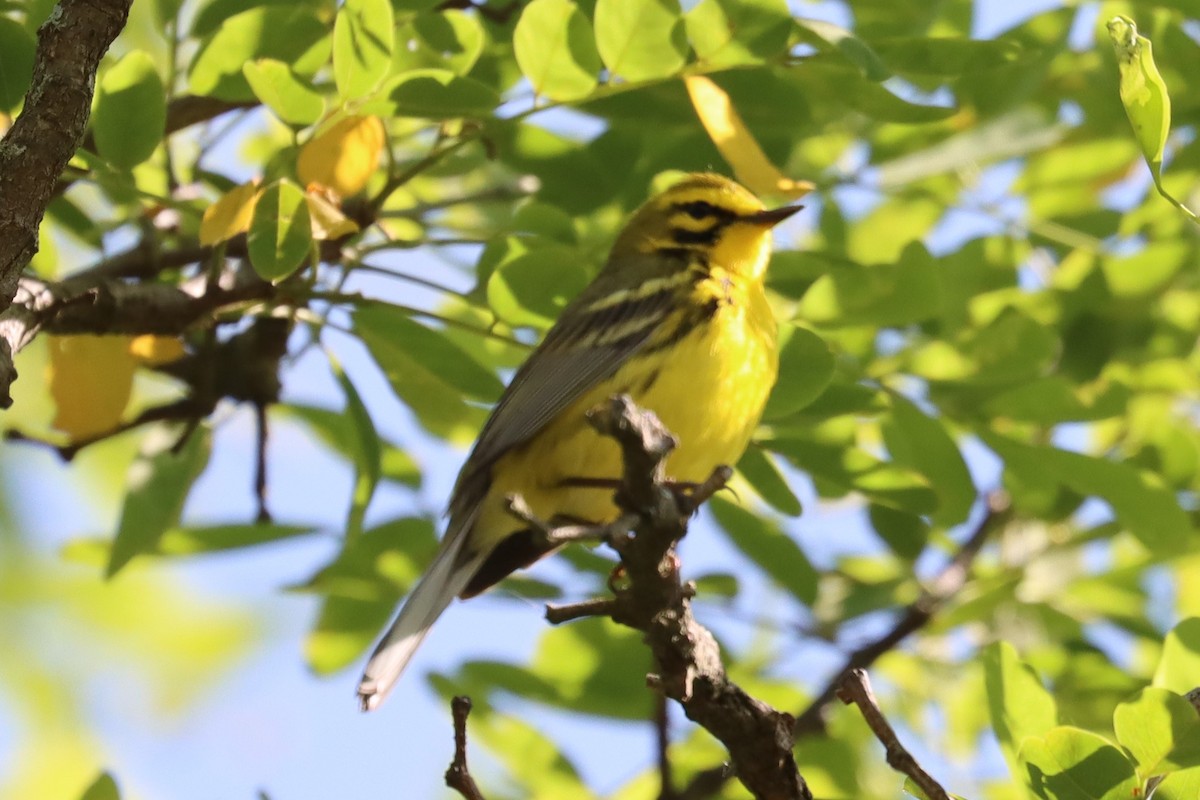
(556, 50)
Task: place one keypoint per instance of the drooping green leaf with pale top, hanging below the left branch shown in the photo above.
(159, 484)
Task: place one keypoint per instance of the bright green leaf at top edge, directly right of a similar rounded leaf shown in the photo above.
(641, 40)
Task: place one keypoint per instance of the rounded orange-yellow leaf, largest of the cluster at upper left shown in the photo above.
(344, 158)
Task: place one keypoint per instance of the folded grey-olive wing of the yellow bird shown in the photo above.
(581, 351)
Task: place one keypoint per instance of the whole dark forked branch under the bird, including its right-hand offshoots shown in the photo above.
(656, 601)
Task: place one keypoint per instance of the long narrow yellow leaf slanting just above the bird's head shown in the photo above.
(736, 145)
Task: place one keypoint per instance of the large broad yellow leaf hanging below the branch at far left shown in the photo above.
(91, 380)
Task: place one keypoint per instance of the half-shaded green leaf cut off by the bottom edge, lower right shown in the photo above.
(1075, 765)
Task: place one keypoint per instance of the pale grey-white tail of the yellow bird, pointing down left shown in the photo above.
(445, 580)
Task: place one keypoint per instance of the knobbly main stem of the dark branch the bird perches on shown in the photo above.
(656, 601)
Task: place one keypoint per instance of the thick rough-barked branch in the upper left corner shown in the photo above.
(43, 140)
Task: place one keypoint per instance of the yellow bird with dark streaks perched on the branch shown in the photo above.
(677, 320)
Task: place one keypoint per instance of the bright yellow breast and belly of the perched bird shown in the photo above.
(709, 390)
